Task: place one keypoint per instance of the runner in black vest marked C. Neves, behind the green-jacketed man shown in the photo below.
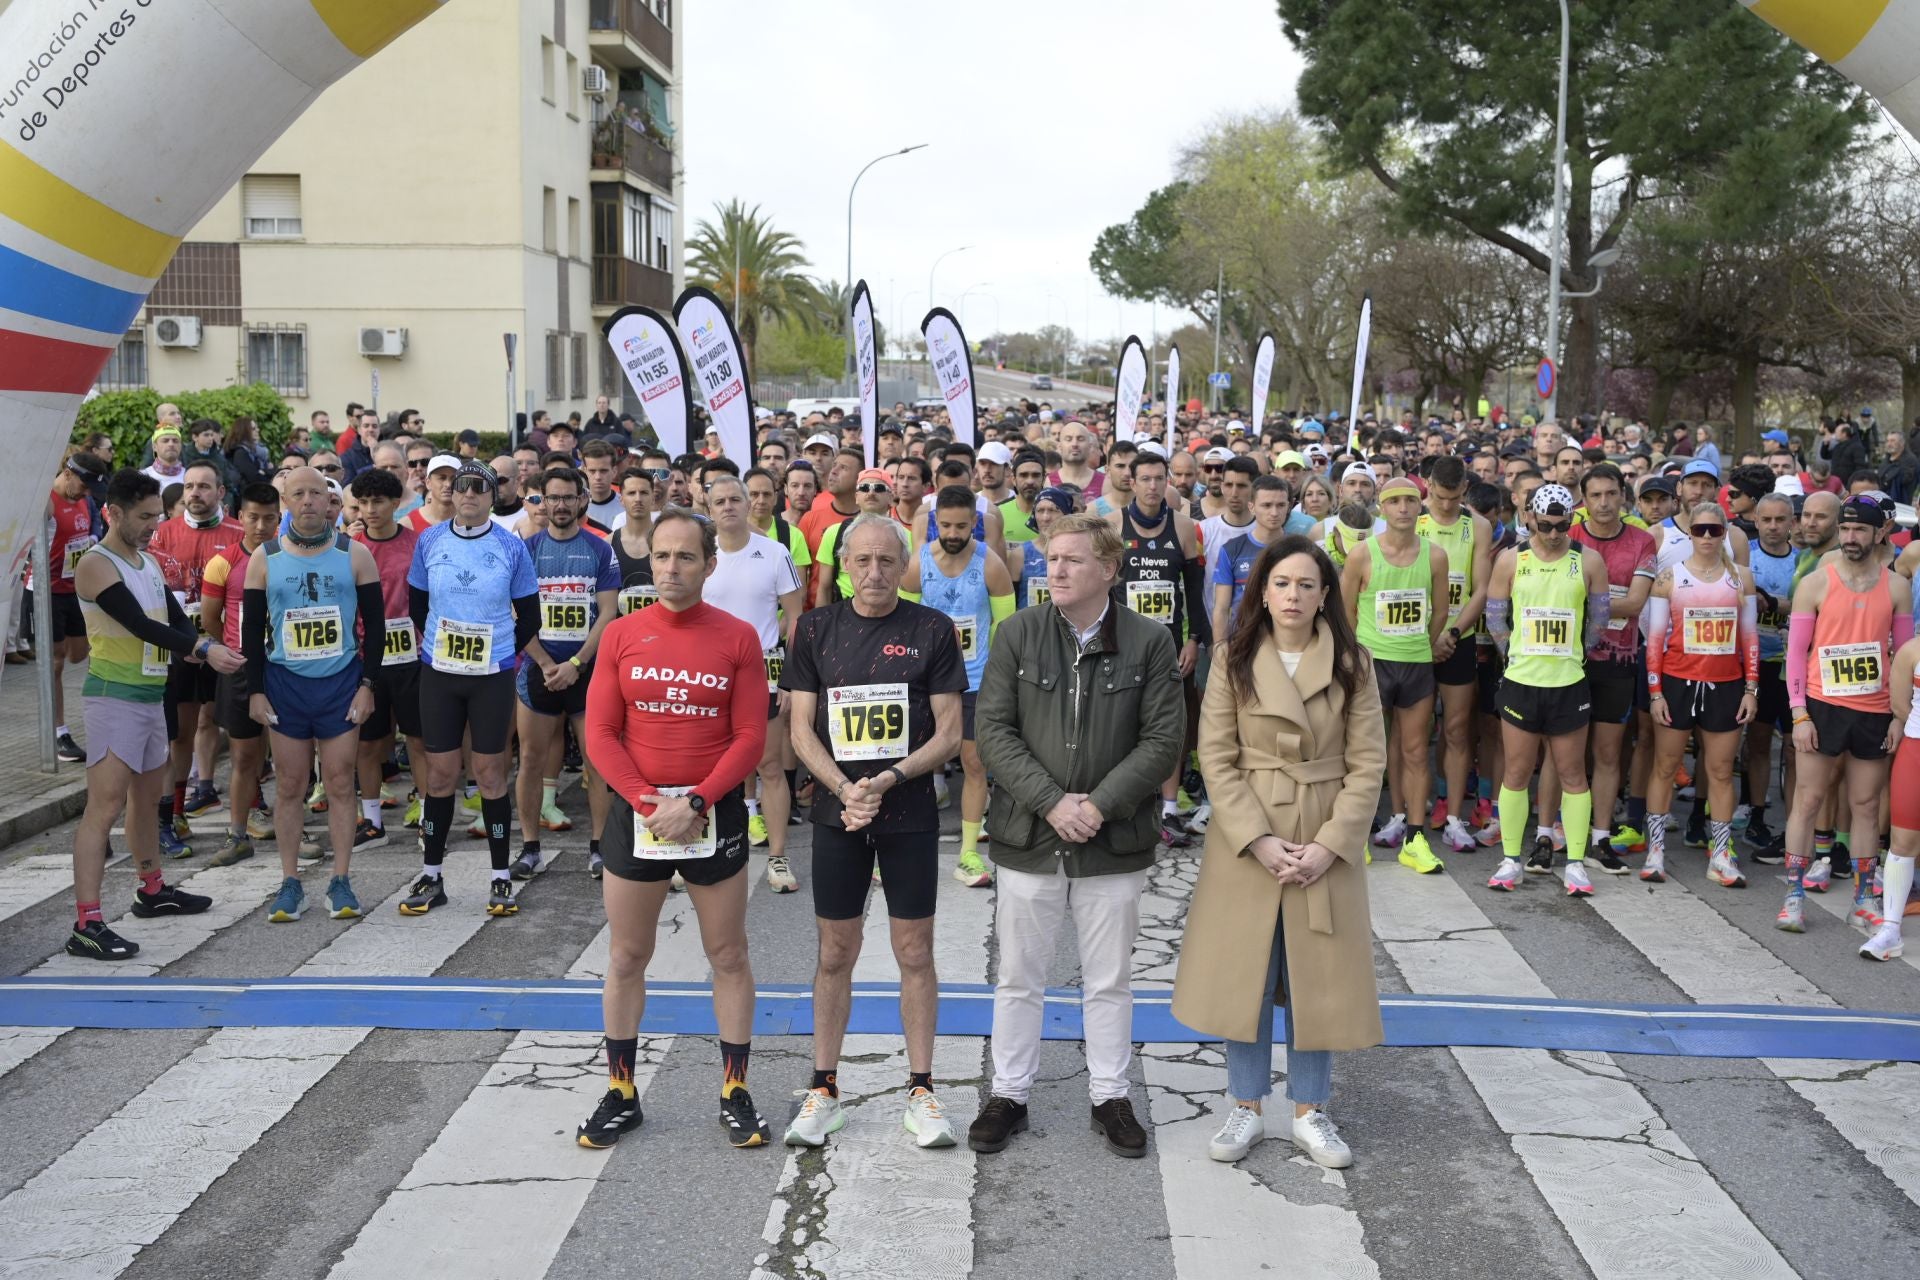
(1163, 579)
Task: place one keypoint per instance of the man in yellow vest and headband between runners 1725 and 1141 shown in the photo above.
(1468, 540)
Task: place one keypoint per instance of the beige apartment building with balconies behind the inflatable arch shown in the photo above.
(504, 168)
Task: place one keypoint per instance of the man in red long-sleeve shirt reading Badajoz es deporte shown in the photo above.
(677, 723)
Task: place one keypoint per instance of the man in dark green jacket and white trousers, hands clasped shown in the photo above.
(1080, 719)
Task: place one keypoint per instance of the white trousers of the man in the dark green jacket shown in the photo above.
(1028, 916)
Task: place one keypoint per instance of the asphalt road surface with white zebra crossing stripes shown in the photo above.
(360, 1152)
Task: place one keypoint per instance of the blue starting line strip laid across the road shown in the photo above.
(965, 1010)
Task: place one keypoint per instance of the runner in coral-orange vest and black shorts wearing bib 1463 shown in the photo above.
(1838, 655)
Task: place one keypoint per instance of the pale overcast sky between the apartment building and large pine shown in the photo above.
(1049, 122)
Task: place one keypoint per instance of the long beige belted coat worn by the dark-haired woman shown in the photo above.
(1305, 763)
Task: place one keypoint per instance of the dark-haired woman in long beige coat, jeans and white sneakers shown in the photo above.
(1293, 751)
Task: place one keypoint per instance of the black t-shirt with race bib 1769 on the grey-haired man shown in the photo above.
(876, 680)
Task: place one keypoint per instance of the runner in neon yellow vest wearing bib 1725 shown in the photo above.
(1393, 594)
